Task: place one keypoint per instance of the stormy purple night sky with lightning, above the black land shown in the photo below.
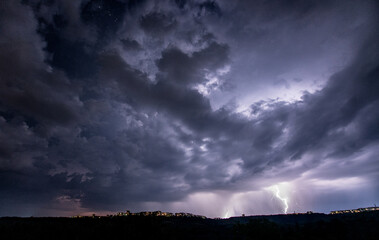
(218, 108)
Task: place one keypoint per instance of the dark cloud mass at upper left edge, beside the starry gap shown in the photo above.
(28, 86)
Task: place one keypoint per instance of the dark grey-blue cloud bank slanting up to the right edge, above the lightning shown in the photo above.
(344, 101)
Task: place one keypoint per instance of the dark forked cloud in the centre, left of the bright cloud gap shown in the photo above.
(169, 94)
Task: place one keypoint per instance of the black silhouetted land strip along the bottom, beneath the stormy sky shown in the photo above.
(303, 226)
